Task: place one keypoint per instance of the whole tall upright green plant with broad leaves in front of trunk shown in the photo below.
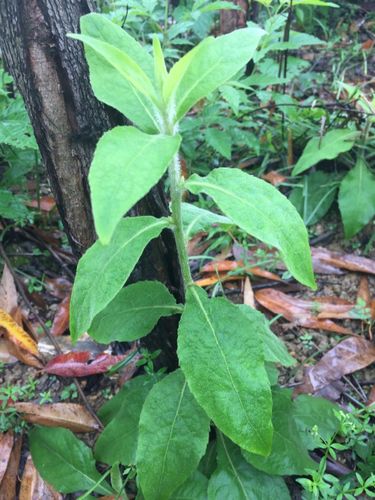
(226, 351)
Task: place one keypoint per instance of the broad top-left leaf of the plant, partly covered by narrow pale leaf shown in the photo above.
(108, 84)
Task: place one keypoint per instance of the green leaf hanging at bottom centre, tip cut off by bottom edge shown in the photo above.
(173, 435)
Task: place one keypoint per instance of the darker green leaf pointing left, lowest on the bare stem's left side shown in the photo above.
(134, 312)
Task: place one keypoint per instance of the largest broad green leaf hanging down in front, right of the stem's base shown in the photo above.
(223, 361)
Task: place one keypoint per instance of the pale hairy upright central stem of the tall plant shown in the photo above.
(176, 191)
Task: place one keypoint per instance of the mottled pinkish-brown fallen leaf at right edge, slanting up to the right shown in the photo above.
(350, 355)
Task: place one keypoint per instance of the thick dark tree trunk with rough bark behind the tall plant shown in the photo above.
(51, 73)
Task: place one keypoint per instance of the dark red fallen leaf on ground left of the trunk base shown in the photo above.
(80, 364)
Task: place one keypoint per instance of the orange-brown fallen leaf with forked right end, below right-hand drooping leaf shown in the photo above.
(299, 311)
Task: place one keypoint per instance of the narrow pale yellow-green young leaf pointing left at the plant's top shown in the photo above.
(124, 64)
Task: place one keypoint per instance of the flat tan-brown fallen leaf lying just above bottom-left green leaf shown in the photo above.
(69, 415)
